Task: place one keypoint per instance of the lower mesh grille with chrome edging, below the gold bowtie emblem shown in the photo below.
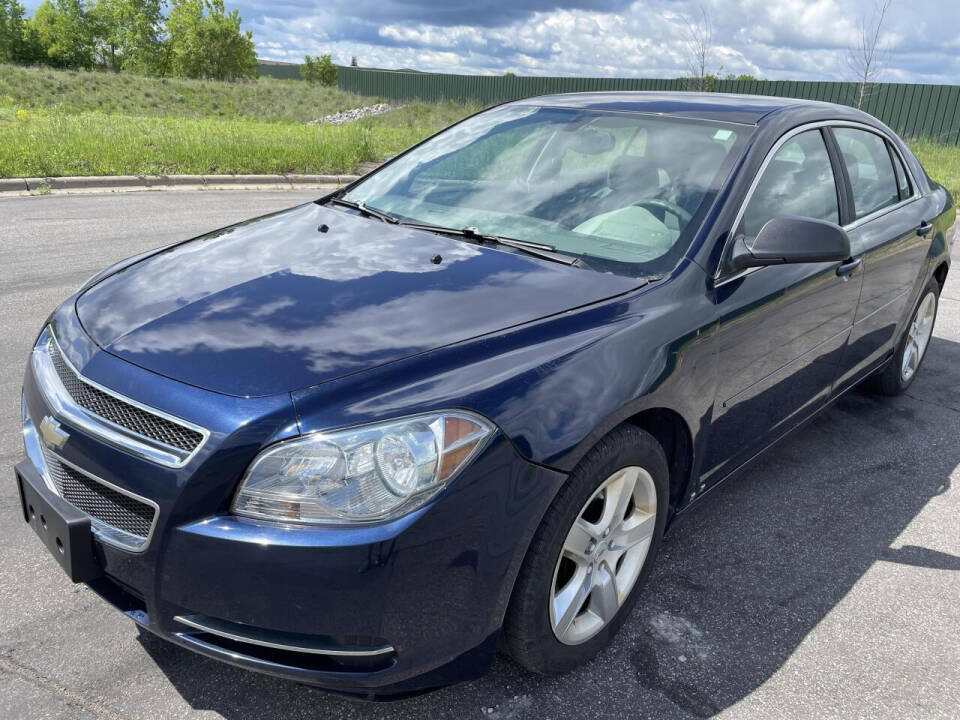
(117, 511)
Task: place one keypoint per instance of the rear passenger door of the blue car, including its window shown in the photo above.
(886, 228)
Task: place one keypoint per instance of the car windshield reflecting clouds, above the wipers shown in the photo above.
(623, 191)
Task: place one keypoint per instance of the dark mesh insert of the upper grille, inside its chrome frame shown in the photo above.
(121, 413)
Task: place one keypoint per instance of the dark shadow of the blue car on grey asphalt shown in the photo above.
(742, 579)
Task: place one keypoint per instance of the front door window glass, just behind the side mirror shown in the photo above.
(797, 181)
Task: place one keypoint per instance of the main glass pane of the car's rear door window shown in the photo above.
(871, 172)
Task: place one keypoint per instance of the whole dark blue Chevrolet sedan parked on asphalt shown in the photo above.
(365, 442)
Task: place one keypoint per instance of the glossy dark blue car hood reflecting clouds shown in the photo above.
(275, 304)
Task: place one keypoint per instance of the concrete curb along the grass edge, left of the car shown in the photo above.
(22, 186)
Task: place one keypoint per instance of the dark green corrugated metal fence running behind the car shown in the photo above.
(914, 111)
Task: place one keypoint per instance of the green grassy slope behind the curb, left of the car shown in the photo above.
(56, 123)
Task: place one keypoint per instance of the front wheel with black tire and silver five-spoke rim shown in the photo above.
(591, 554)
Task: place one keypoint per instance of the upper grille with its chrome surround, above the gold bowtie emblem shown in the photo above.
(121, 421)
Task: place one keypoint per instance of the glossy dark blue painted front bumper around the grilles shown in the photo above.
(374, 611)
